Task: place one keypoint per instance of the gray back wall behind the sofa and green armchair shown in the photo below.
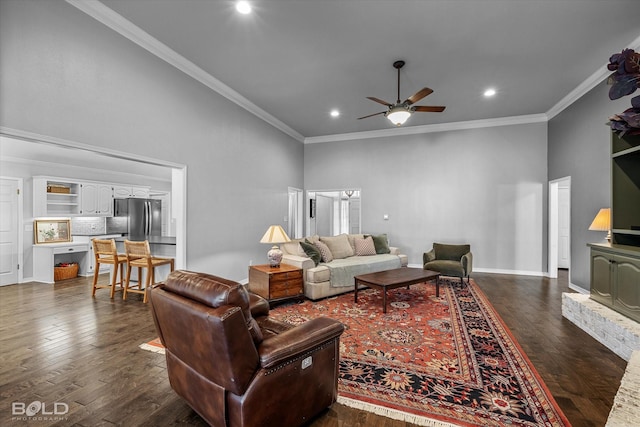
(486, 187)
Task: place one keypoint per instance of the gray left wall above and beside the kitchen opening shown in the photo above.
(65, 75)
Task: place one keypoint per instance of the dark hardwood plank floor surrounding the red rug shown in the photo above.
(58, 344)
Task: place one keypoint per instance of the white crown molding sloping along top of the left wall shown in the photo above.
(119, 24)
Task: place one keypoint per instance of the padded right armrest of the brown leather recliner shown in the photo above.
(298, 340)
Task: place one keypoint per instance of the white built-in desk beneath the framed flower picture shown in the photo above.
(46, 256)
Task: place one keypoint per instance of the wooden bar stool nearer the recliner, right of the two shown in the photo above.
(139, 255)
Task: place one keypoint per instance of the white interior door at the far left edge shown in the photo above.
(9, 227)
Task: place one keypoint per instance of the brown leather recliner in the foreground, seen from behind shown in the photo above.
(233, 364)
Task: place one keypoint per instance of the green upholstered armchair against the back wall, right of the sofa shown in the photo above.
(449, 260)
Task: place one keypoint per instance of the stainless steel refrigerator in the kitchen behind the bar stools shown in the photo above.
(144, 216)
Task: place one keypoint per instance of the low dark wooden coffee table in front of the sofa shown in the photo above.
(396, 278)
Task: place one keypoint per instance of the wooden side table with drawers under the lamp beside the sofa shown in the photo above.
(276, 284)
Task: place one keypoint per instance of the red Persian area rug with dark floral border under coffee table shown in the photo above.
(447, 361)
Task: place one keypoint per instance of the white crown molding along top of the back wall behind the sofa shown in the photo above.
(441, 127)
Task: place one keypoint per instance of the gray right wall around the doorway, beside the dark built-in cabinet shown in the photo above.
(579, 147)
